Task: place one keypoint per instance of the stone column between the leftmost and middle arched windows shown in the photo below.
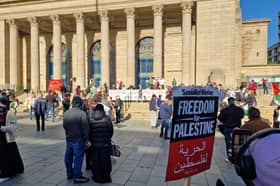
(80, 51)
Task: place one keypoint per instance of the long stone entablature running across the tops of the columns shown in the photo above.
(29, 8)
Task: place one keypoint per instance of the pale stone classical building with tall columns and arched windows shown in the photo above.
(129, 40)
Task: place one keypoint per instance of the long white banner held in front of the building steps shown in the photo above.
(133, 95)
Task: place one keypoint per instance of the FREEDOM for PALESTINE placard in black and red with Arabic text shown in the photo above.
(192, 131)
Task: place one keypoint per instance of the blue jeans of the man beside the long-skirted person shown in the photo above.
(74, 150)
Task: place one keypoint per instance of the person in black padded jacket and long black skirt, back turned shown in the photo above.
(101, 132)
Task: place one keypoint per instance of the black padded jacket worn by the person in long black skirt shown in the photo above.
(100, 128)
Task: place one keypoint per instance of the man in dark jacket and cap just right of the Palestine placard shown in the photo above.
(230, 117)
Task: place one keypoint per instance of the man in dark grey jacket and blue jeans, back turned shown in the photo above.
(76, 125)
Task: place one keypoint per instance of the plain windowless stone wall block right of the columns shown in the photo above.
(216, 21)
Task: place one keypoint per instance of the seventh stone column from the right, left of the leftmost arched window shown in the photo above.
(35, 62)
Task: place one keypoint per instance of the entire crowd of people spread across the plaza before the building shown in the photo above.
(87, 121)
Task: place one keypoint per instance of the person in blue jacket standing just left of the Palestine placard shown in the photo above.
(165, 112)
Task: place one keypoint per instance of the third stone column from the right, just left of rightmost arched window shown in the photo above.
(130, 26)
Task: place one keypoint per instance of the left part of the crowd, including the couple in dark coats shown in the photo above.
(87, 120)
